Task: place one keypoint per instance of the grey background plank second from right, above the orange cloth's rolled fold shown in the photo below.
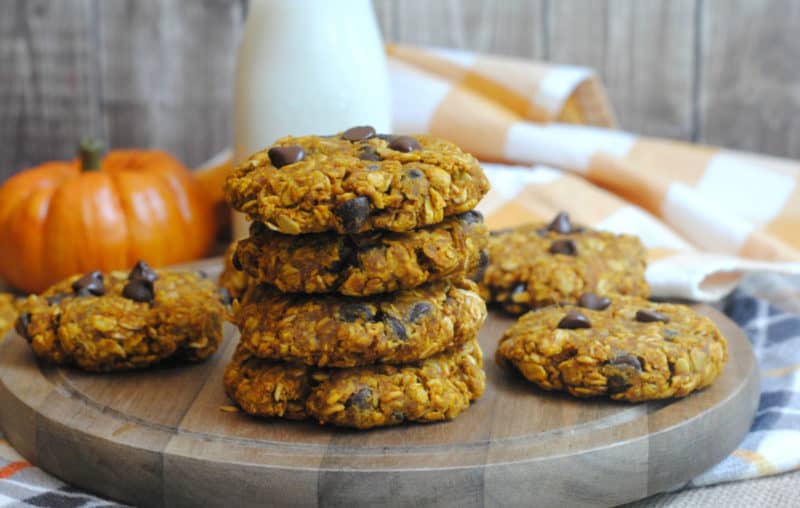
(643, 52)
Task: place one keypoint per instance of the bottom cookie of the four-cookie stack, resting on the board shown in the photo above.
(438, 388)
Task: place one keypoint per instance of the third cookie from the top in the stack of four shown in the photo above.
(339, 331)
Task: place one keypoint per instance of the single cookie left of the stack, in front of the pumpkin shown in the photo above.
(120, 321)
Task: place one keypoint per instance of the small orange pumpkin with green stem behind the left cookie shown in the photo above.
(63, 218)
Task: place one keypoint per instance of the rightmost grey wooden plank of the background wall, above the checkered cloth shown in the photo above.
(749, 95)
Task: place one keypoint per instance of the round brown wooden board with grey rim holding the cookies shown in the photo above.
(159, 438)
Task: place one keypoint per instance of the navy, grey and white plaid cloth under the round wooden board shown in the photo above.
(767, 307)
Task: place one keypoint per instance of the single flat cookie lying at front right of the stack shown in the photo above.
(625, 347)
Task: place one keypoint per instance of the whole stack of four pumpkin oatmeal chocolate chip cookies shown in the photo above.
(358, 309)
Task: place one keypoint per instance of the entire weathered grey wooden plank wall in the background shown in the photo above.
(158, 73)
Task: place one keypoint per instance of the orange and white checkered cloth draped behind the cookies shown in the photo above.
(546, 134)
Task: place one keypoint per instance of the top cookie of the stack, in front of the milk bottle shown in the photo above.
(356, 181)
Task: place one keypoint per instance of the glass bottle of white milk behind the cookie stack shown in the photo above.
(307, 67)
